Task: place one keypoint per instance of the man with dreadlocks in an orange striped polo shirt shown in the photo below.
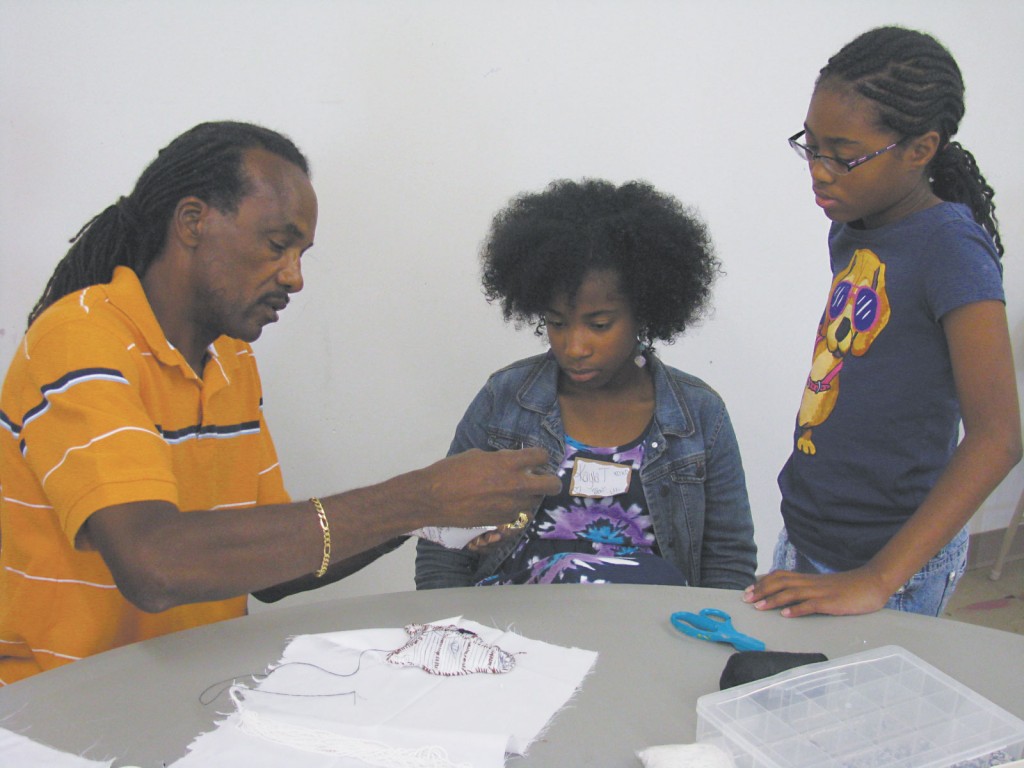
(142, 492)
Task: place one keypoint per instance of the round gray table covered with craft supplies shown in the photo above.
(141, 705)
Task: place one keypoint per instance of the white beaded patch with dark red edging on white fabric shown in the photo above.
(450, 651)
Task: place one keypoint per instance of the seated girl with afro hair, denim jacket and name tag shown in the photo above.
(653, 486)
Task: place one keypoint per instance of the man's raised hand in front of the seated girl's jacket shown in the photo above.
(480, 488)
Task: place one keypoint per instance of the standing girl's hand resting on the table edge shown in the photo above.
(801, 594)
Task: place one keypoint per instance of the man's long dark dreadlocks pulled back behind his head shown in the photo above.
(206, 161)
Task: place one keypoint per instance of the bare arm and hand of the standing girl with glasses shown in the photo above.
(986, 380)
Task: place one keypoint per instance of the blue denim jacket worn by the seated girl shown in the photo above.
(693, 476)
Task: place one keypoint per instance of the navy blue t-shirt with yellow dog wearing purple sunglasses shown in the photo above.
(879, 419)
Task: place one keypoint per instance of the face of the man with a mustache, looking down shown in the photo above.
(248, 263)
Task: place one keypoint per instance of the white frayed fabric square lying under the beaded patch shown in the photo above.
(371, 713)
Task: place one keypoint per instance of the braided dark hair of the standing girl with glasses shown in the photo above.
(918, 88)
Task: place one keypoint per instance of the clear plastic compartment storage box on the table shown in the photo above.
(880, 709)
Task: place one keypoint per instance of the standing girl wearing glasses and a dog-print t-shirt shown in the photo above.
(913, 342)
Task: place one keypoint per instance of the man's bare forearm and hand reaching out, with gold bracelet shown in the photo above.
(161, 558)
